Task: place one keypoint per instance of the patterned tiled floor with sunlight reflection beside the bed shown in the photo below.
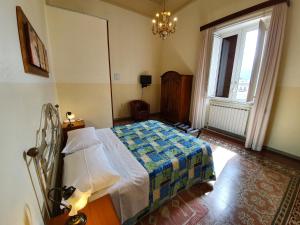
(249, 189)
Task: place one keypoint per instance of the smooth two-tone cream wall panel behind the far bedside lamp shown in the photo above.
(81, 65)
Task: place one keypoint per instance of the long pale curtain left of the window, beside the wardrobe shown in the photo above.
(201, 81)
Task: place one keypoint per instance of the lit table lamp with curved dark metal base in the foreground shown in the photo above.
(73, 201)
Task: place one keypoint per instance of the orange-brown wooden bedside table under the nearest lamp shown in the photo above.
(98, 212)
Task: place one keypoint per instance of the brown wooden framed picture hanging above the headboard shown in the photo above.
(34, 53)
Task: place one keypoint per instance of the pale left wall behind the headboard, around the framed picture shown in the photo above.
(21, 98)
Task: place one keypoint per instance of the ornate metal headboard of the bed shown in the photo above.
(47, 158)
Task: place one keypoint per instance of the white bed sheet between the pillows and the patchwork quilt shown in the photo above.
(130, 195)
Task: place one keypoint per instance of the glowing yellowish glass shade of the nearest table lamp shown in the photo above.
(78, 201)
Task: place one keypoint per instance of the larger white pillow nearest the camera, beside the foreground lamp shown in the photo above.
(89, 169)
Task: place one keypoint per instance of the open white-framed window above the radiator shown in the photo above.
(235, 61)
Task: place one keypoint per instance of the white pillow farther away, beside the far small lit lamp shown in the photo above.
(81, 139)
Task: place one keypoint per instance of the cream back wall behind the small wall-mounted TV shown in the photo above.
(133, 50)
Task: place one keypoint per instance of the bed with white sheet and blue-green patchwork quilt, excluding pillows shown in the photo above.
(160, 161)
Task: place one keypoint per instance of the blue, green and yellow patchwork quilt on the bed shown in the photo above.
(174, 160)
